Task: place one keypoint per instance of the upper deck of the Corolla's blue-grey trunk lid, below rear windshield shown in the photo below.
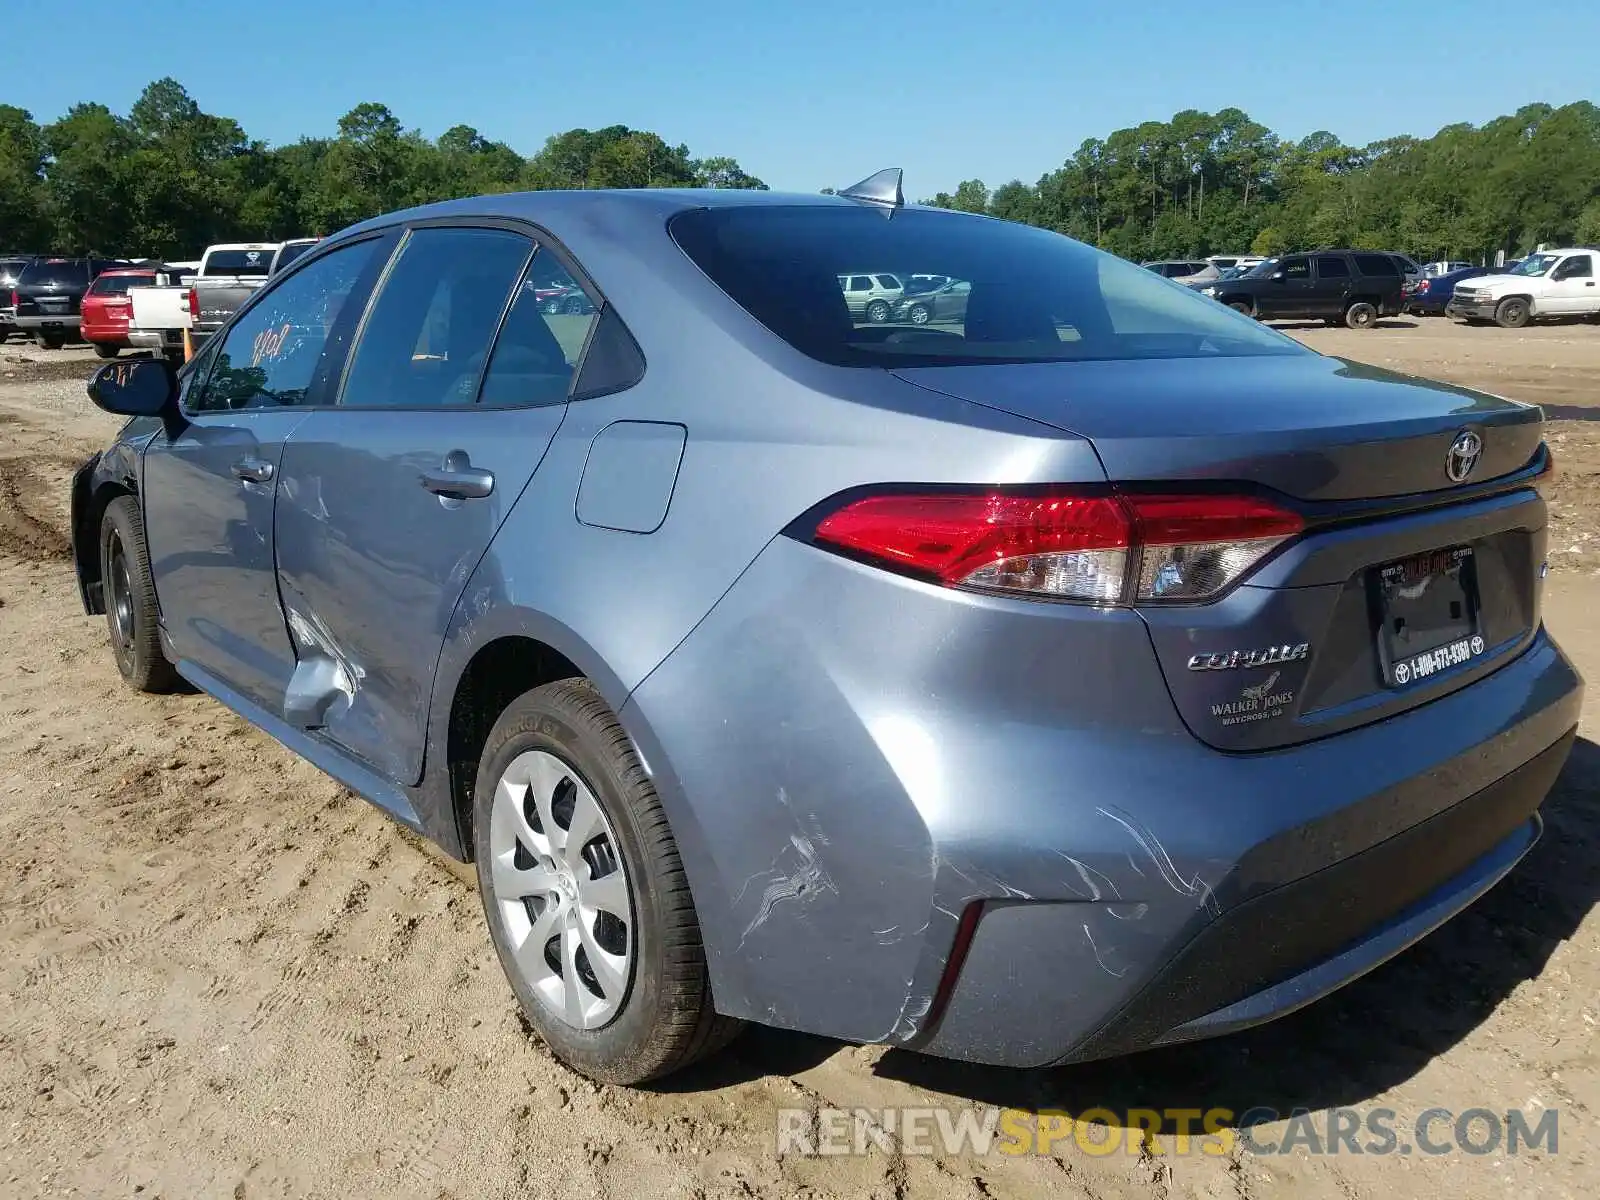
(1302, 425)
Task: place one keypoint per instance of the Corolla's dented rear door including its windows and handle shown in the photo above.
(391, 497)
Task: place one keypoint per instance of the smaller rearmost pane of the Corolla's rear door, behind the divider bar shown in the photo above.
(543, 338)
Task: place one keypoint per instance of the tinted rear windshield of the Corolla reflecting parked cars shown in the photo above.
(1033, 297)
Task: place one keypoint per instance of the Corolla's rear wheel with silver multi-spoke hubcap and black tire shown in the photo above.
(556, 751)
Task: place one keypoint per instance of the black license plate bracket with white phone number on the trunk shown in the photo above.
(1428, 615)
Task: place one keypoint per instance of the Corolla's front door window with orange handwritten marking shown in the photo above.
(270, 356)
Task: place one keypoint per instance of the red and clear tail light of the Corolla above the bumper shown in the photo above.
(1065, 545)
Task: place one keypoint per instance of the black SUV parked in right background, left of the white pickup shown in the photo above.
(1354, 287)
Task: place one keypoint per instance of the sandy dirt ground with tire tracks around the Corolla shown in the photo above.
(222, 975)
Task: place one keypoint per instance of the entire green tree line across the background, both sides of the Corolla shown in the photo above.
(167, 180)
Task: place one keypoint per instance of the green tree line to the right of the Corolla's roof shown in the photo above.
(1223, 183)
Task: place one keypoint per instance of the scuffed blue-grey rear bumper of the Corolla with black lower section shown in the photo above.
(852, 762)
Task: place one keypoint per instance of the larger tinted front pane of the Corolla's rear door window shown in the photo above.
(430, 330)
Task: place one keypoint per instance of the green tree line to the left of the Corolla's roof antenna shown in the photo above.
(167, 180)
